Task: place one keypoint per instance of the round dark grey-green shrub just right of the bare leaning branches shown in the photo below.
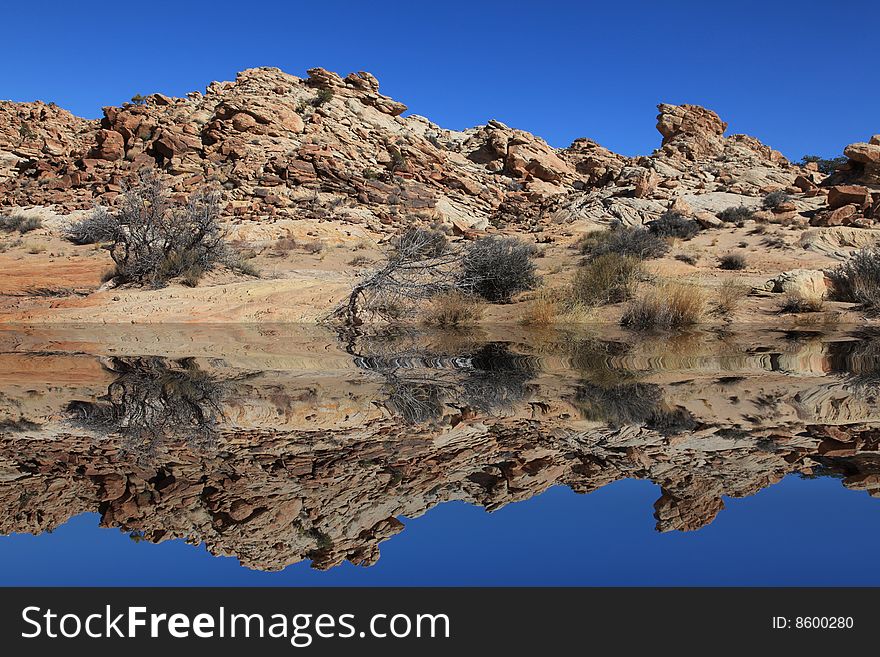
(496, 268)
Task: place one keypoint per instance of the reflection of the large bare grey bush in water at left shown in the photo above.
(153, 399)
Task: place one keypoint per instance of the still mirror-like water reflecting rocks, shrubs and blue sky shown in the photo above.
(292, 455)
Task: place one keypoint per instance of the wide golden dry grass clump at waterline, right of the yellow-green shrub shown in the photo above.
(669, 306)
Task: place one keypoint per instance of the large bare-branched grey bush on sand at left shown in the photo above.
(156, 240)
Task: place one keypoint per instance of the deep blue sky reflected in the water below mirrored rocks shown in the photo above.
(794, 533)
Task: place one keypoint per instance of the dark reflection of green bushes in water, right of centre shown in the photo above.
(631, 403)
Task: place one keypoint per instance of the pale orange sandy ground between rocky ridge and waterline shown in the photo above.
(307, 269)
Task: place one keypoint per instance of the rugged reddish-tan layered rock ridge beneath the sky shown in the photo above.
(329, 147)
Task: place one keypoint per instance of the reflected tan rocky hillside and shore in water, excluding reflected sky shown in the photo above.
(276, 448)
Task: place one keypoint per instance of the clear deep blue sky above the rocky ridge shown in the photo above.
(801, 75)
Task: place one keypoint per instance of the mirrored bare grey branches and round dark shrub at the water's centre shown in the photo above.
(488, 380)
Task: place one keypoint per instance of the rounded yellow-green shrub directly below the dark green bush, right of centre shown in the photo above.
(608, 278)
